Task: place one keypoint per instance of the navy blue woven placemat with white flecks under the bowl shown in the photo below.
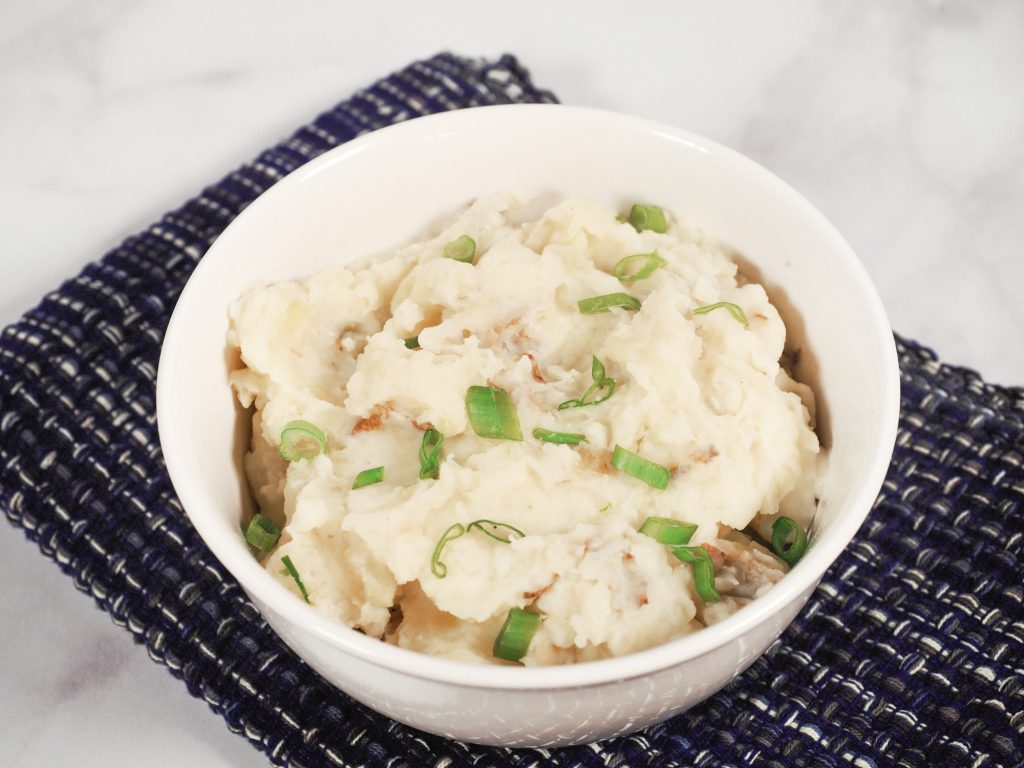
(911, 653)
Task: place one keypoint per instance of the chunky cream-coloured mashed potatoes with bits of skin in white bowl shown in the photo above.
(376, 357)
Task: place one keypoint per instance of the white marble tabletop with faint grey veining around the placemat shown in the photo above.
(903, 122)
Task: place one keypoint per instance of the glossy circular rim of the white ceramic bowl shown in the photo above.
(283, 605)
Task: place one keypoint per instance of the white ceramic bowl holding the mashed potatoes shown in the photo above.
(392, 187)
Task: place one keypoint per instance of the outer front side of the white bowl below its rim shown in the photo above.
(536, 717)
